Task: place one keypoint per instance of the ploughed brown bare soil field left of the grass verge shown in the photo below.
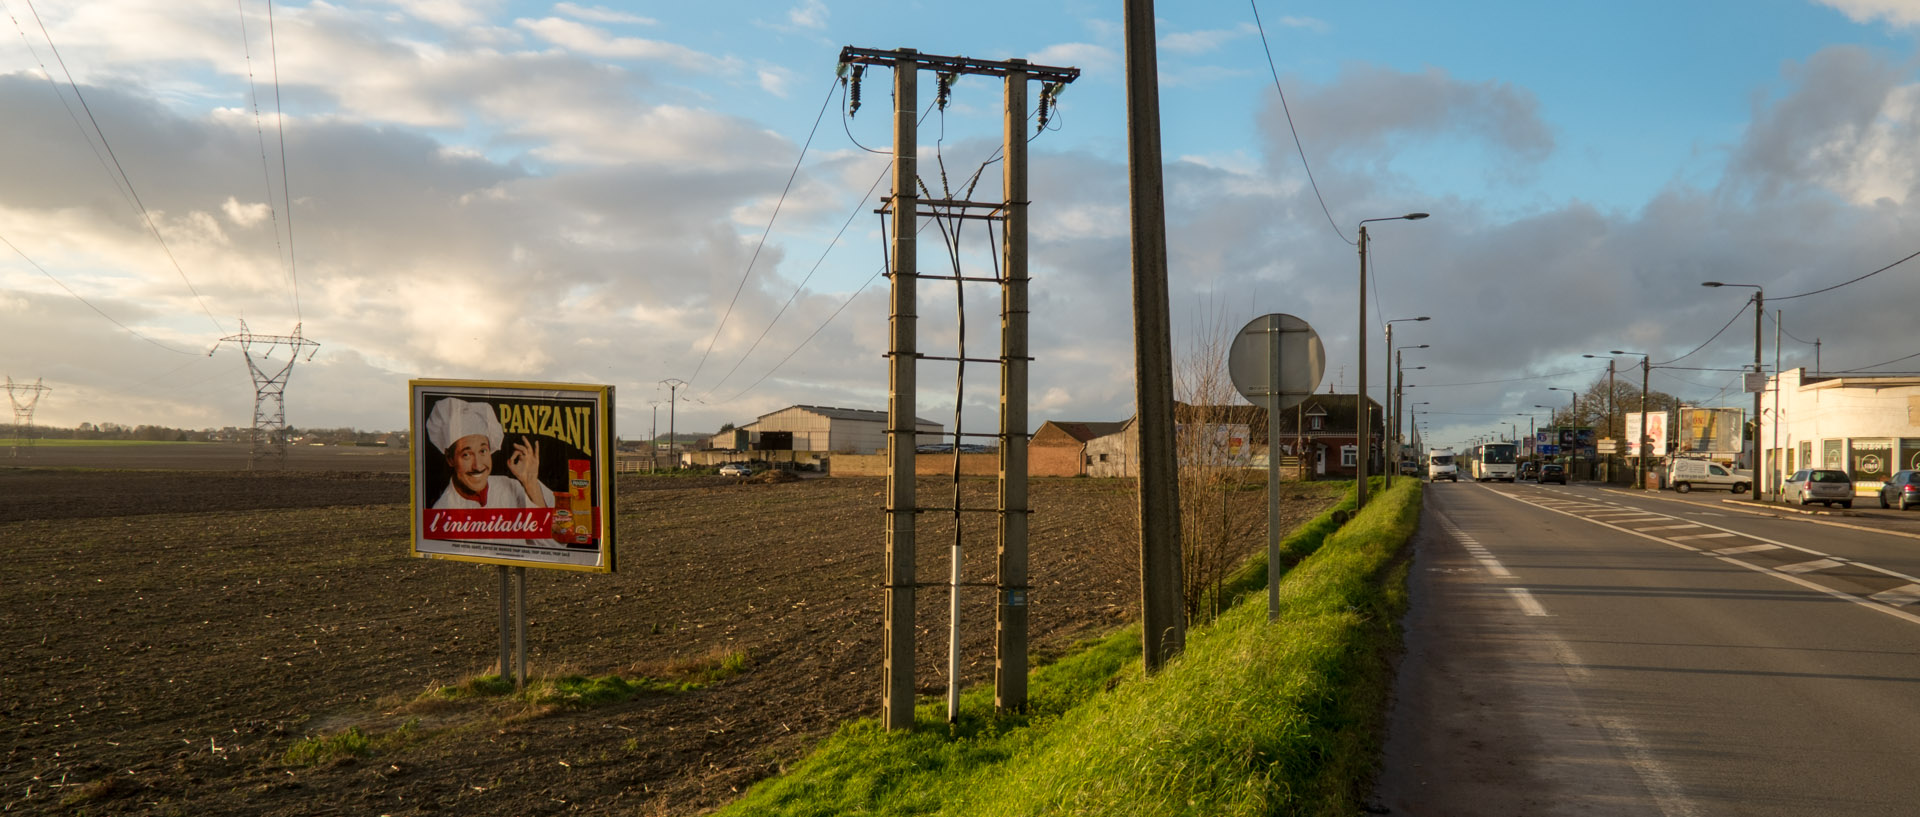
(170, 636)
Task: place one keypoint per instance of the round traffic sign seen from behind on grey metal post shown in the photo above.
(1276, 360)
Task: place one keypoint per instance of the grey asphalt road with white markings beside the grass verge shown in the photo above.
(1583, 651)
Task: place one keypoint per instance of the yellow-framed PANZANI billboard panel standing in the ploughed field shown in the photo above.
(516, 475)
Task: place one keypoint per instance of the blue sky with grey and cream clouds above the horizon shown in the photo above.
(638, 195)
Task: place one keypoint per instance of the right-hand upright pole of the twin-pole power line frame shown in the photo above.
(1011, 613)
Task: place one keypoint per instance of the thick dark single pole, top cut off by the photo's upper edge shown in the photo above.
(1164, 626)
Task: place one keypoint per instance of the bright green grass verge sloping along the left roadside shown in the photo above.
(1253, 720)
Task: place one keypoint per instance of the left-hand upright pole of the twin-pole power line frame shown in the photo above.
(901, 411)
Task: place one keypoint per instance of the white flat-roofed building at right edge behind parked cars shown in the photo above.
(1865, 425)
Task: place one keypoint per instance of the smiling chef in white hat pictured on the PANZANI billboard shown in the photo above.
(469, 434)
